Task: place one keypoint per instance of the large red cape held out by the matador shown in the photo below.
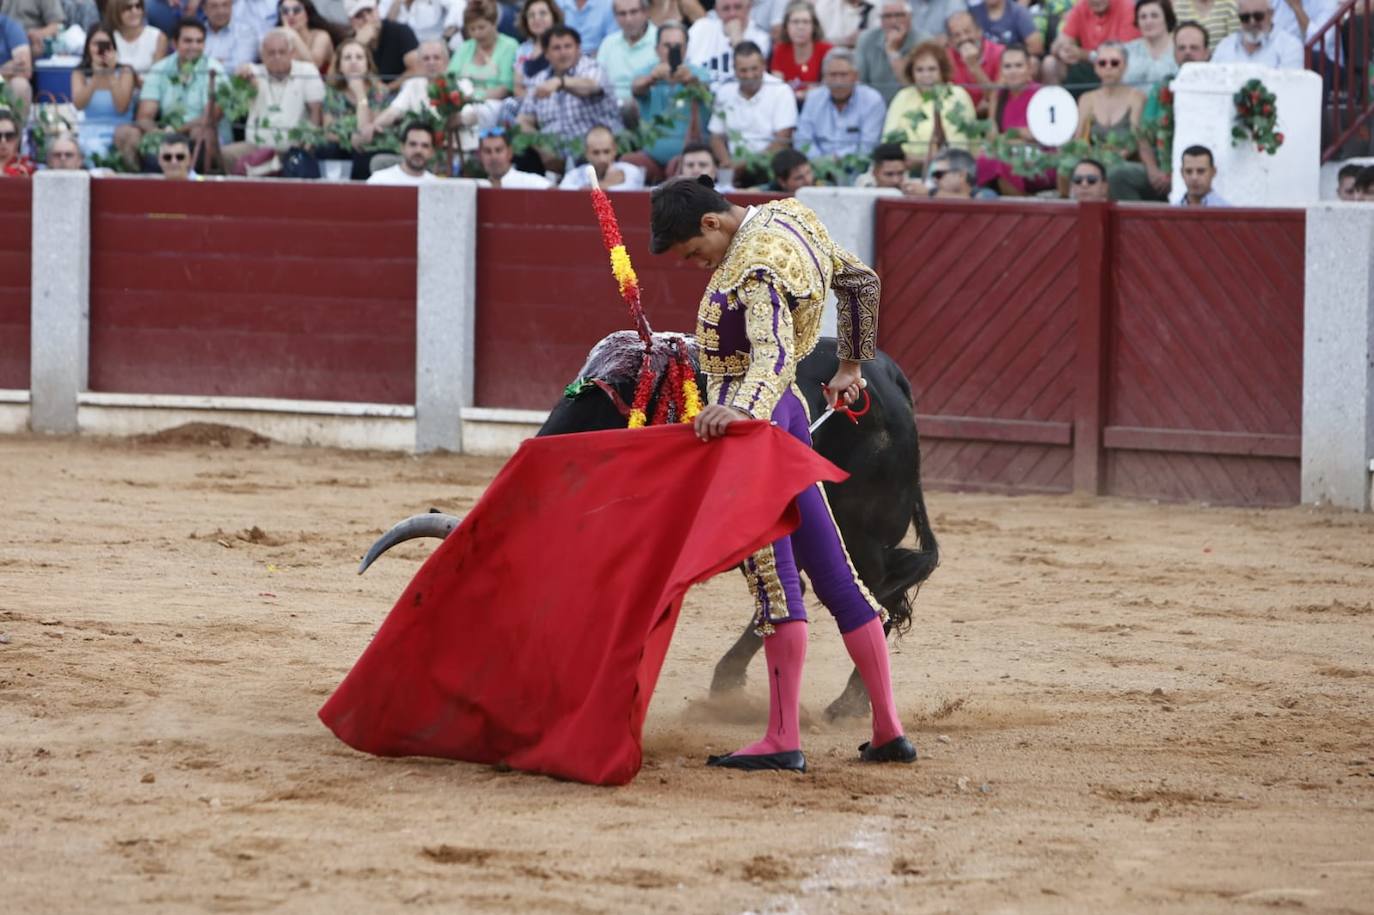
(535, 634)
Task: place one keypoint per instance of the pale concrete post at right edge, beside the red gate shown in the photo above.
(1339, 357)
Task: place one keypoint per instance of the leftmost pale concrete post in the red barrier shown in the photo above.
(60, 299)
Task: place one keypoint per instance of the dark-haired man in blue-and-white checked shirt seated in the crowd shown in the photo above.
(570, 97)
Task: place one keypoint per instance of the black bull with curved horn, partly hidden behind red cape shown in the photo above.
(875, 509)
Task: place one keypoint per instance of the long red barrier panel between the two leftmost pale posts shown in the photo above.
(256, 289)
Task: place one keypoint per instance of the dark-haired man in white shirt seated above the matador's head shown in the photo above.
(756, 106)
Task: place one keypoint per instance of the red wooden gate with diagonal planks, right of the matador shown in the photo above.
(1131, 351)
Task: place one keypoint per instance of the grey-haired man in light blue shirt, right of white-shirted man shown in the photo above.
(847, 117)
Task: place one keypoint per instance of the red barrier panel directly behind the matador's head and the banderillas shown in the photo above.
(546, 293)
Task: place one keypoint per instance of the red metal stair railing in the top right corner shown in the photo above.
(1340, 53)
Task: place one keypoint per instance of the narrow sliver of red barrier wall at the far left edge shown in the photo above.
(16, 241)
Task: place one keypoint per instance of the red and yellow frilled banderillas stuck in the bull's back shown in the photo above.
(682, 379)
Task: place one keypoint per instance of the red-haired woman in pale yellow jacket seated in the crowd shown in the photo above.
(930, 115)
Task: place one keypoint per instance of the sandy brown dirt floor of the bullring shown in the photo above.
(1122, 708)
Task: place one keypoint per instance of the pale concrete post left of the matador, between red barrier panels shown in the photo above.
(446, 313)
